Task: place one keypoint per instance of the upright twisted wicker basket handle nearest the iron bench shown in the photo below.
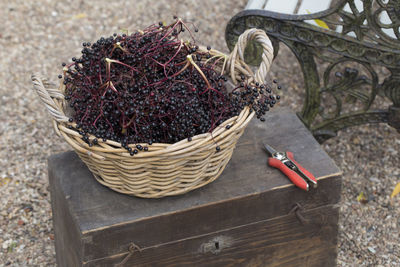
(237, 54)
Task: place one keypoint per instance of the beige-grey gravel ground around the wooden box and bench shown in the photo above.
(39, 35)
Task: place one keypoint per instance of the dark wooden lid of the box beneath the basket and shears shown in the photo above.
(248, 191)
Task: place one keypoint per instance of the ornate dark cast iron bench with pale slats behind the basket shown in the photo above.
(339, 64)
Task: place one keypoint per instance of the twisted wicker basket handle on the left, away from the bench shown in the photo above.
(52, 98)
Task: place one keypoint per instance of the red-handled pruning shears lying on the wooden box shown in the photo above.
(284, 161)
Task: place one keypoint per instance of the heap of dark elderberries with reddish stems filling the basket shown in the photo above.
(150, 86)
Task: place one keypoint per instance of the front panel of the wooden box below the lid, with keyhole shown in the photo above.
(281, 241)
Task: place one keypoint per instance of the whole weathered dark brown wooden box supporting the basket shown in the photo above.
(244, 218)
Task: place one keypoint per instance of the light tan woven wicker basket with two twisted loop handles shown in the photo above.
(166, 169)
